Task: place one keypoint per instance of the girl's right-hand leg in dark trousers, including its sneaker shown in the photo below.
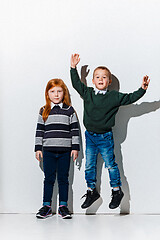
(62, 176)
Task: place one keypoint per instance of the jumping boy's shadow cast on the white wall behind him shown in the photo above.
(123, 116)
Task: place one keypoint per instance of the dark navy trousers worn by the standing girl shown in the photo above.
(56, 163)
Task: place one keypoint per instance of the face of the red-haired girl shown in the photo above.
(56, 95)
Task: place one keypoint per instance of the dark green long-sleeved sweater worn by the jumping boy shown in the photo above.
(100, 110)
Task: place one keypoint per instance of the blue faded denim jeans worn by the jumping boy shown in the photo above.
(103, 144)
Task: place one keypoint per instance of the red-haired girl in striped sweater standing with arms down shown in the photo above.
(57, 139)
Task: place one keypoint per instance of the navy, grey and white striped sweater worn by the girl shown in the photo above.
(59, 132)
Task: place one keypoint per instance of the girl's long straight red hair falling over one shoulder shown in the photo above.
(66, 97)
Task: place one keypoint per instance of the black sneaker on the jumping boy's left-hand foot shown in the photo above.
(91, 197)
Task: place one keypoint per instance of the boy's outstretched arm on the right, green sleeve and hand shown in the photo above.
(128, 98)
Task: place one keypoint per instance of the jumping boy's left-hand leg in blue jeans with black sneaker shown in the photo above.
(90, 170)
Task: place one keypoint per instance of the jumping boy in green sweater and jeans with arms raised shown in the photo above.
(100, 108)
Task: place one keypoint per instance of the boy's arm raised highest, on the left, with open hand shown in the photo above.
(80, 87)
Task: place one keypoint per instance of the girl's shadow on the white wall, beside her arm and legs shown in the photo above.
(78, 163)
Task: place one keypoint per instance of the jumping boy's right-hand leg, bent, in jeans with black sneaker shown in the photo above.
(106, 148)
